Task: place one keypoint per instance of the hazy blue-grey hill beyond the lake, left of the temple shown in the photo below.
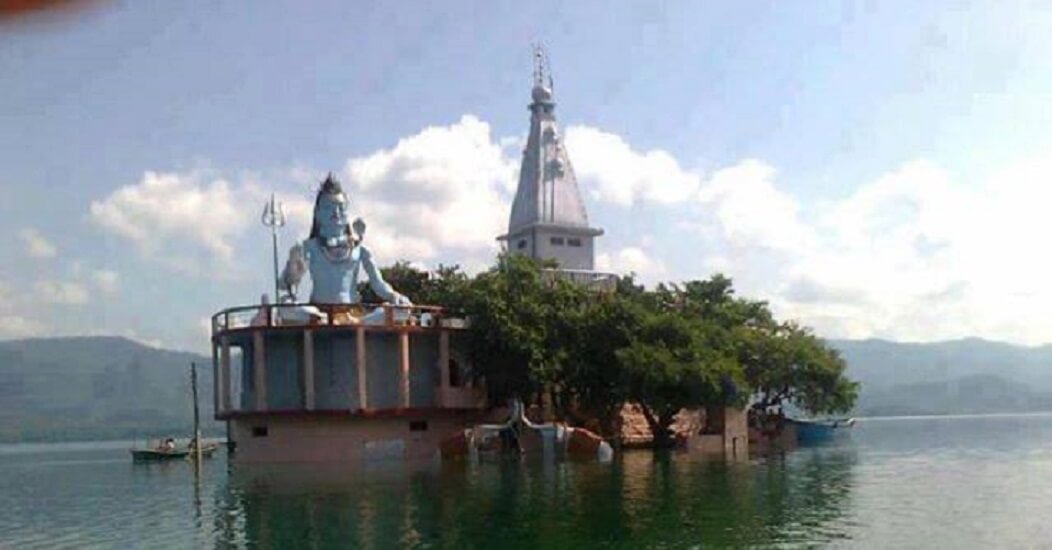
(86, 389)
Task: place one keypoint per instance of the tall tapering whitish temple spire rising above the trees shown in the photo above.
(549, 218)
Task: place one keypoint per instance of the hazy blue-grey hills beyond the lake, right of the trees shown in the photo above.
(969, 376)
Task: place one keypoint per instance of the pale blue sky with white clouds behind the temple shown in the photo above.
(873, 169)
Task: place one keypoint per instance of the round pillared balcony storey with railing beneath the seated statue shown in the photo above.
(340, 360)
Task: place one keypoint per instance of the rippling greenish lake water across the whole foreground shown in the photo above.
(946, 483)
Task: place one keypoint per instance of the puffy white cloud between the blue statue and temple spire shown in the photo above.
(443, 190)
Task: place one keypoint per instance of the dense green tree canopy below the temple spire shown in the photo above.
(679, 347)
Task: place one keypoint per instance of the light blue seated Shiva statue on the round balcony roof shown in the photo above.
(335, 255)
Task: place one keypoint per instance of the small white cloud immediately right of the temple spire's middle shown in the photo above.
(613, 172)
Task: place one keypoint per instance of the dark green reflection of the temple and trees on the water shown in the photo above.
(643, 499)
